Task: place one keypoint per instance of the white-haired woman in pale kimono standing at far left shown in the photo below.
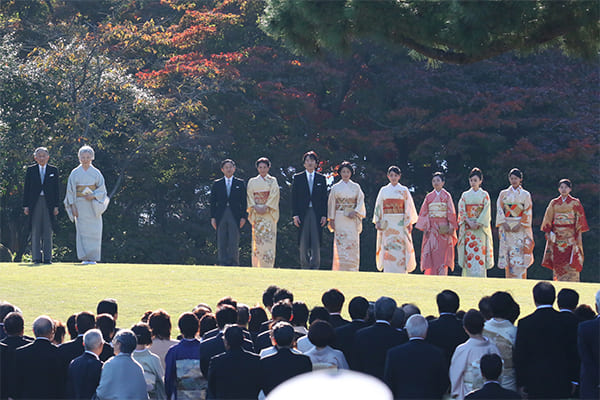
(85, 202)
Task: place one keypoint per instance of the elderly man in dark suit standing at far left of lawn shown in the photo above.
(40, 202)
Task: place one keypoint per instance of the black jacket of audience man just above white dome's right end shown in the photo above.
(371, 345)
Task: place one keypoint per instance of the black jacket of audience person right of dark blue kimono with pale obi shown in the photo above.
(234, 375)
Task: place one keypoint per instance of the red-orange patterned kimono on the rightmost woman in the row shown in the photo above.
(564, 222)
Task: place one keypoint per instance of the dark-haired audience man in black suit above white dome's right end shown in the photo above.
(371, 344)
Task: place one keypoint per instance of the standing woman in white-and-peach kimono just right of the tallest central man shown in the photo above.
(345, 211)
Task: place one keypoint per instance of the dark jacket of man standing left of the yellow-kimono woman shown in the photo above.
(237, 200)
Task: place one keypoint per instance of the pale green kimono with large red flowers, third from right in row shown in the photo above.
(475, 247)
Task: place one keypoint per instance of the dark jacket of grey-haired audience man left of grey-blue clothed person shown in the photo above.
(83, 377)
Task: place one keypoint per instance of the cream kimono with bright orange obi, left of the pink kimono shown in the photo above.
(395, 211)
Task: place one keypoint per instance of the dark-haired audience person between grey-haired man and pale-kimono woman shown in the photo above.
(447, 331)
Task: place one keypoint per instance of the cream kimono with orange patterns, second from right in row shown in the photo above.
(516, 247)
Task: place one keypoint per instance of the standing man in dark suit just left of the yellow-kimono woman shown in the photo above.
(228, 213)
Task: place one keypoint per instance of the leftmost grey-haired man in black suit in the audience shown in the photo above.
(38, 368)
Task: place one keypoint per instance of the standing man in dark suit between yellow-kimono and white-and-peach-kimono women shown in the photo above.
(309, 210)
